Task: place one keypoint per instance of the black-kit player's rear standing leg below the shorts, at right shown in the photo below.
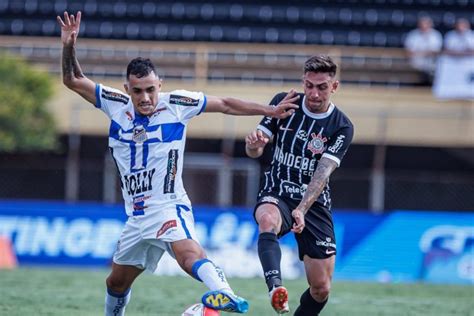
(319, 274)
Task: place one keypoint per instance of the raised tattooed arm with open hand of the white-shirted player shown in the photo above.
(73, 77)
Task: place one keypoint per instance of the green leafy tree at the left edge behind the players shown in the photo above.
(25, 123)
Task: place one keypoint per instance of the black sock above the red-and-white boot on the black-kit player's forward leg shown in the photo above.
(269, 253)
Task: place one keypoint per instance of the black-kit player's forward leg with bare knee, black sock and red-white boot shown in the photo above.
(269, 220)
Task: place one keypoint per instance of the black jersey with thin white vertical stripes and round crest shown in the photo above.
(299, 141)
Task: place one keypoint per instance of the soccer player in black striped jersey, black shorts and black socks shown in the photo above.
(295, 196)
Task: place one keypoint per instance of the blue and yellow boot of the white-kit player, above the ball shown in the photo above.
(225, 301)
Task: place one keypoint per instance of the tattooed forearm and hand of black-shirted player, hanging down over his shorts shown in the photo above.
(321, 176)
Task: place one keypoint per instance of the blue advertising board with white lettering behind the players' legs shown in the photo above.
(398, 246)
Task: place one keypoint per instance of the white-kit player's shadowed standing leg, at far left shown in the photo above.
(119, 284)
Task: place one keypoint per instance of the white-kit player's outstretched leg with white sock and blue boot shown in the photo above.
(192, 259)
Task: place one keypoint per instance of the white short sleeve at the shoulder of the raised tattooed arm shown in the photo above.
(110, 100)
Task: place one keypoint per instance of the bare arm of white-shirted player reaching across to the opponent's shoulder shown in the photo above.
(235, 106)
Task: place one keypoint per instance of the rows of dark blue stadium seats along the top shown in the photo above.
(379, 23)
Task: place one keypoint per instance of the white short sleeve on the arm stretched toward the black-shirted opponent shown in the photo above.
(186, 104)
